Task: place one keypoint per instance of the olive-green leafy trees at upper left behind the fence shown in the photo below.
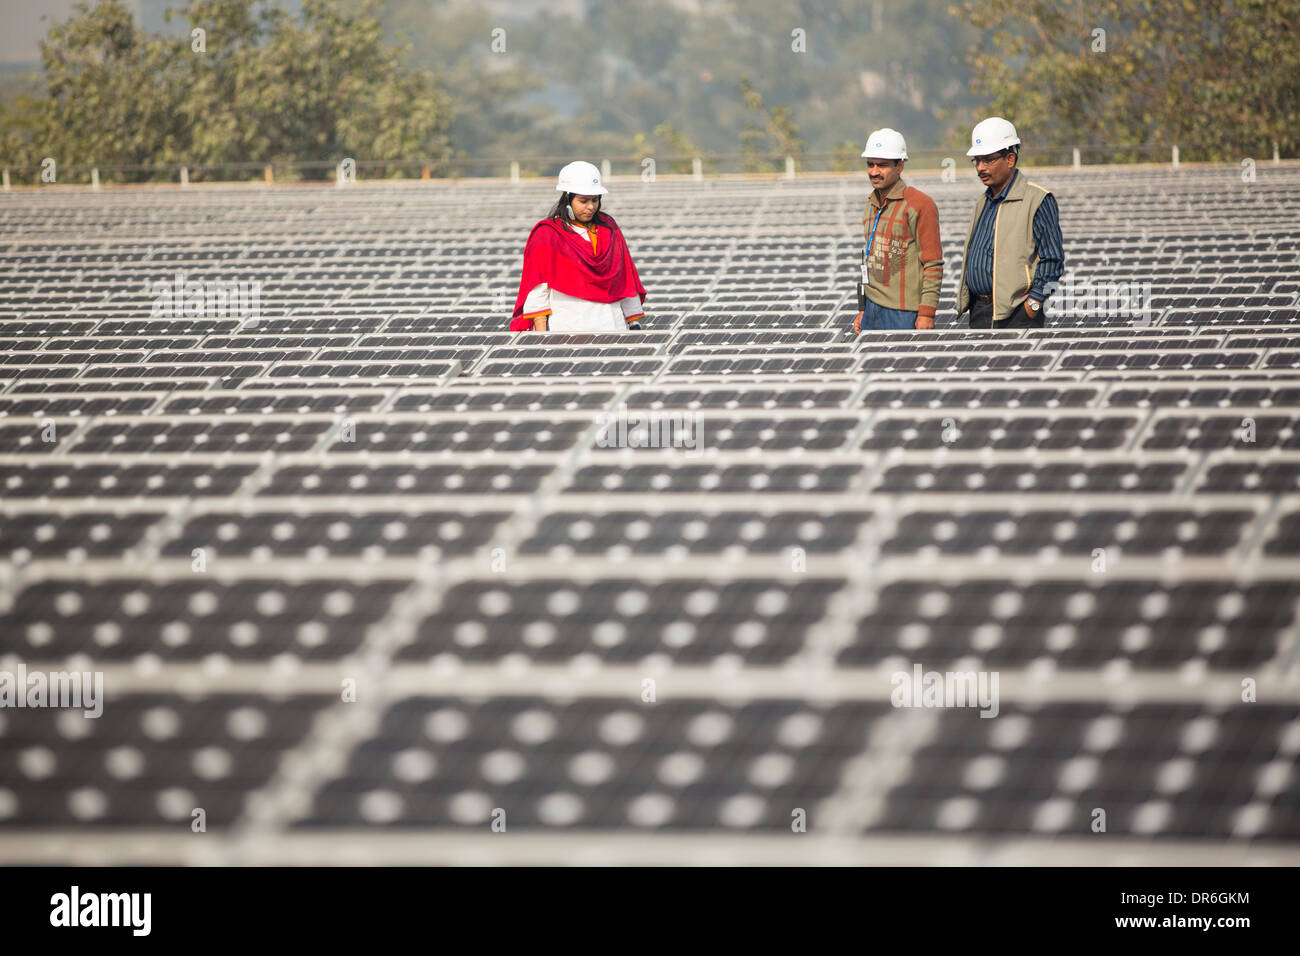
(257, 86)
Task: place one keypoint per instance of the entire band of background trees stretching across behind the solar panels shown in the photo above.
(409, 79)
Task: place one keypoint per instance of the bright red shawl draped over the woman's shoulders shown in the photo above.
(564, 259)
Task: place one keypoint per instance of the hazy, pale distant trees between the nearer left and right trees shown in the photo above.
(604, 83)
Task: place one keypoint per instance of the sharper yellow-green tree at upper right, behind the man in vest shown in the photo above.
(1220, 76)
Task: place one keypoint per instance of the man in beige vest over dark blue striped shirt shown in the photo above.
(1015, 253)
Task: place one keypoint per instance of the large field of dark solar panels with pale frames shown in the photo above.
(369, 583)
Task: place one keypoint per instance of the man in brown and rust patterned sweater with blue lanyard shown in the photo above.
(903, 265)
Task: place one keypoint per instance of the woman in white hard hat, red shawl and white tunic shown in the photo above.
(578, 272)
